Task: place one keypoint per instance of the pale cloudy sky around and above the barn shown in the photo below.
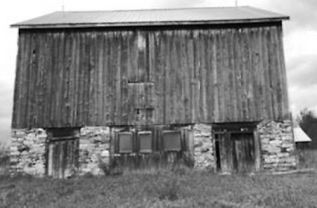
(300, 40)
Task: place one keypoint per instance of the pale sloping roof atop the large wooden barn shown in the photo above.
(185, 16)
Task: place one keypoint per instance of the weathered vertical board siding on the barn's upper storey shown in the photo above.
(68, 78)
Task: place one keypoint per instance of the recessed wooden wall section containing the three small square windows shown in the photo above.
(151, 147)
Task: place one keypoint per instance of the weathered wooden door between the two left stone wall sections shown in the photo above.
(62, 157)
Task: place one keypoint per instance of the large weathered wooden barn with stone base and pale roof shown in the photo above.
(151, 87)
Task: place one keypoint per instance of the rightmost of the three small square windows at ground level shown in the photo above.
(172, 140)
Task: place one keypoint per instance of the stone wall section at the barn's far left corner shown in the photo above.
(27, 151)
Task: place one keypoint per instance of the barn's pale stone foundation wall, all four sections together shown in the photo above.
(28, 148)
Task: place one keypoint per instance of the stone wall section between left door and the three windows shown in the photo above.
(94, 149)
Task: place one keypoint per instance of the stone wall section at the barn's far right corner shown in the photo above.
(277, 146)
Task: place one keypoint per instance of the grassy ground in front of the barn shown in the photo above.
(181, 188)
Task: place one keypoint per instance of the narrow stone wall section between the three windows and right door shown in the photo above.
(203, 147)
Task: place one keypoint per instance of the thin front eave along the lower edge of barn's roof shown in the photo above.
(158, 23)
